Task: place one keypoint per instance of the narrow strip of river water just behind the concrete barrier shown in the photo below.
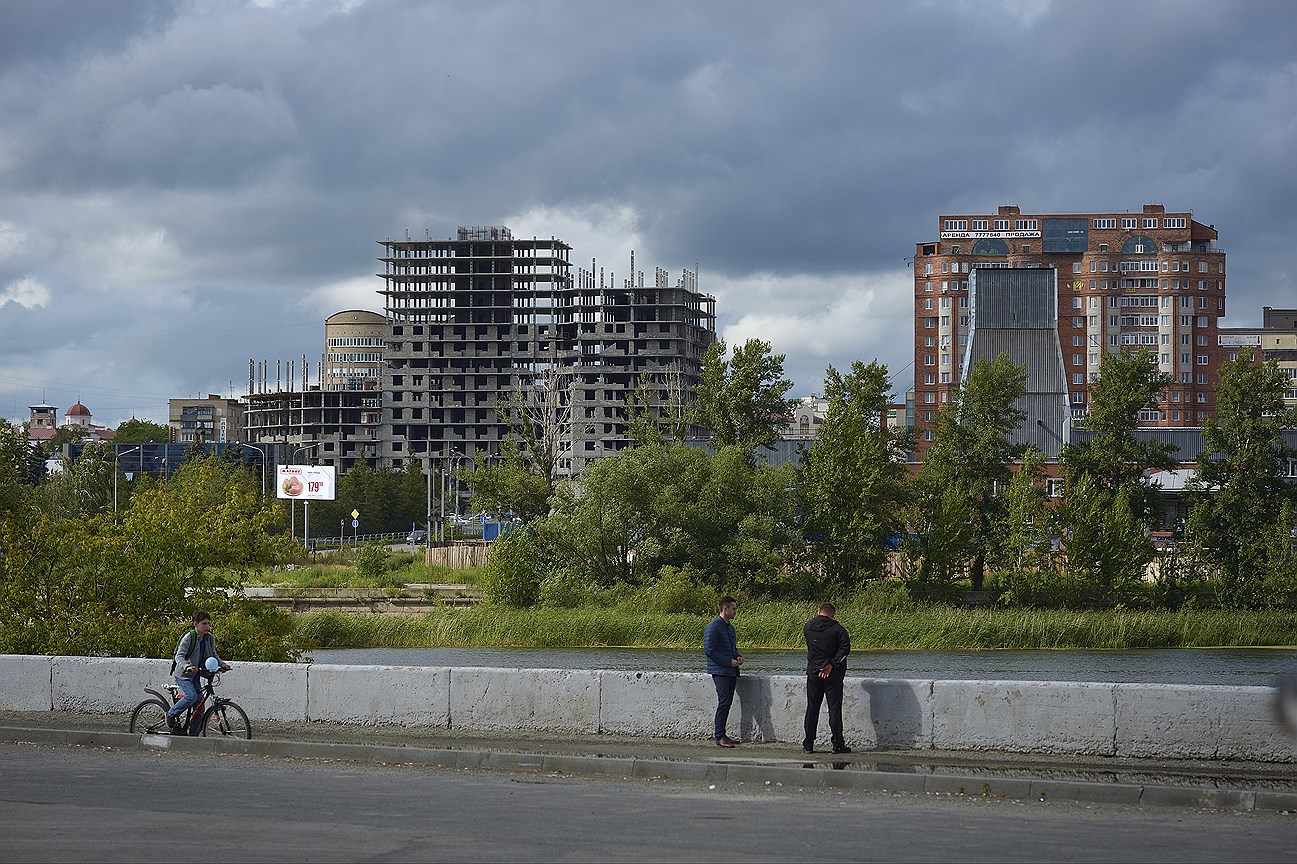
(1235, 667)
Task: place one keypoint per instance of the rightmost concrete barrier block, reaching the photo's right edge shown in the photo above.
(1181, 722)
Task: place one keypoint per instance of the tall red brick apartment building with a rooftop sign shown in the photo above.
(1150, 280)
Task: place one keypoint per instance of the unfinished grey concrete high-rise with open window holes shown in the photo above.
(483, 318)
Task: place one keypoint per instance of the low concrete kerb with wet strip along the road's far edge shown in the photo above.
(1169, 791)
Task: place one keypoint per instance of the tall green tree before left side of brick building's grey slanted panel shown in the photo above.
(972, 455)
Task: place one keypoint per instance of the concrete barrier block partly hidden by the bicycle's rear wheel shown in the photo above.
(104, 684)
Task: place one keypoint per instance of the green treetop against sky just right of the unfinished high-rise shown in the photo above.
(744, 403)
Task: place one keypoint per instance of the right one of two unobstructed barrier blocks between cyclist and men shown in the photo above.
(538, 700)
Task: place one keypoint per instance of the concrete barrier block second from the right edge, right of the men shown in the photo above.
(1025, 717)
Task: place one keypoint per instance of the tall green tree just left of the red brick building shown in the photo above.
(854, 479)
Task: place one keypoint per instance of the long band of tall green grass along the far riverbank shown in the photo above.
(779, 626)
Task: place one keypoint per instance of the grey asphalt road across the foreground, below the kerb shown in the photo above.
(60, 804)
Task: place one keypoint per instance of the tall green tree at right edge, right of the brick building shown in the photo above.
(1244, 499)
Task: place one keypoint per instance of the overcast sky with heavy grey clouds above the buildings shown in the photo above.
(190, 186)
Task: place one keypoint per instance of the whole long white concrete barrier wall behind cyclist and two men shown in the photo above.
(1138, 721)
